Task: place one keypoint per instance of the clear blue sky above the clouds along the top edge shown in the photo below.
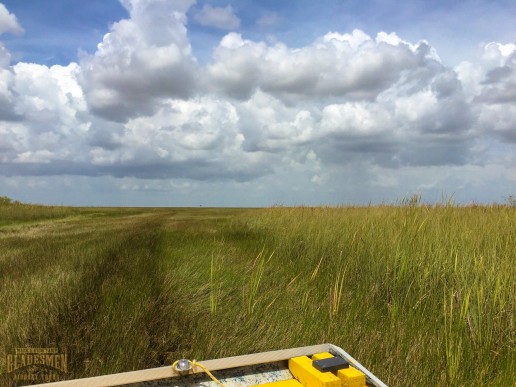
(54, 31)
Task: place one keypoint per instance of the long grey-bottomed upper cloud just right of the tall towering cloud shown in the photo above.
(353, 66)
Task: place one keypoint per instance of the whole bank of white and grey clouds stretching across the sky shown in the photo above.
(347, 106)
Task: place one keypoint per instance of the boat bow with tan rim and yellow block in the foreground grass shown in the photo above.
(295, 367)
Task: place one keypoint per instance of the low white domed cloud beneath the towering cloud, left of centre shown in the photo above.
(198, 139)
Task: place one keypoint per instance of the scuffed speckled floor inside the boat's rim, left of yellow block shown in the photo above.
(243, 376)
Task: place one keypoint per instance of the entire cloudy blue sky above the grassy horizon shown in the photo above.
(257, 102)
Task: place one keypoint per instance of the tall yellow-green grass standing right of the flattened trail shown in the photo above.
(422, 295)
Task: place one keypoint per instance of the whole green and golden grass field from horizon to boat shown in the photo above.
(422, 296)
